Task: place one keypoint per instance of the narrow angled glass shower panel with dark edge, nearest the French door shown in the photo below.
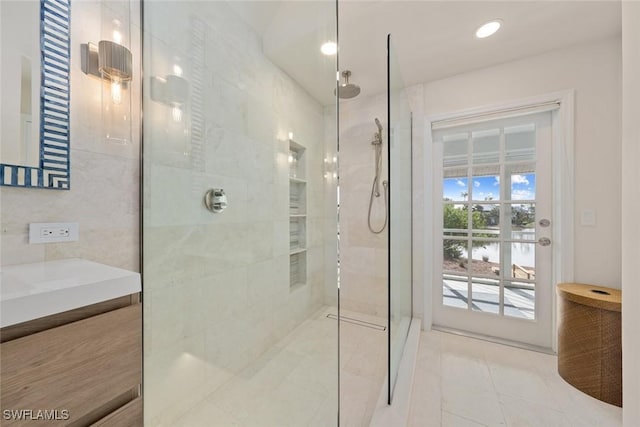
(400, 274)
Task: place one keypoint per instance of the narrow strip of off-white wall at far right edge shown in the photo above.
(631, 211)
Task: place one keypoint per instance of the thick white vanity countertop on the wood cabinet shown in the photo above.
(31, 291)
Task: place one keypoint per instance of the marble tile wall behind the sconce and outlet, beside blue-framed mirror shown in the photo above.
(104, 177)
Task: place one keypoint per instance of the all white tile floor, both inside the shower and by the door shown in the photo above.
(458, 381)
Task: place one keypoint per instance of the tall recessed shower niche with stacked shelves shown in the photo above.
(297, 216)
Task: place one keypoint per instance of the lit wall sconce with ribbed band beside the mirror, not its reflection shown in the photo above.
(113, 64)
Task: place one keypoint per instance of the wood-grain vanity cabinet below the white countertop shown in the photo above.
(78, 368)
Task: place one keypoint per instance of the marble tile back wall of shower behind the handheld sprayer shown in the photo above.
(363, 254)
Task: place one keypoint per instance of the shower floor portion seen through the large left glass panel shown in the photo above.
(292, 384)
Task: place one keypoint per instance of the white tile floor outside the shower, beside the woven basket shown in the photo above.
(462, 381)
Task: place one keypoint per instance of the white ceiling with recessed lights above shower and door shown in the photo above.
(431, 39)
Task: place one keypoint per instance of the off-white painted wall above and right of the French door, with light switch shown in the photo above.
(594, 71)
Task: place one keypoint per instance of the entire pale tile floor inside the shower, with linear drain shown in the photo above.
(295, 383)
